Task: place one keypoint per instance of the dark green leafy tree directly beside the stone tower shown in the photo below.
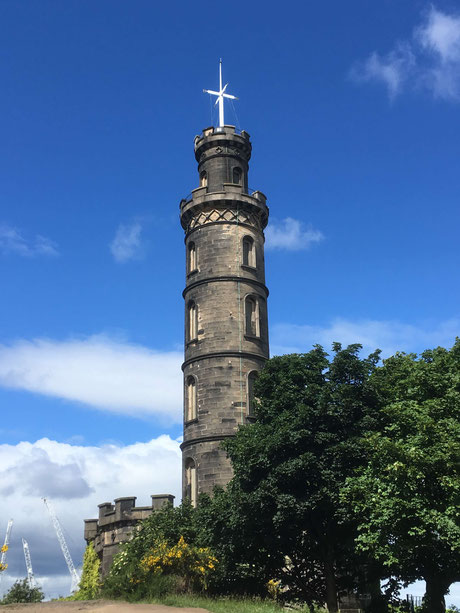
(284, 514)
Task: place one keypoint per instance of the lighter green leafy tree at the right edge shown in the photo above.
(407, 497)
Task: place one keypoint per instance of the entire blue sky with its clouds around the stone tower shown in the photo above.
(354, 114)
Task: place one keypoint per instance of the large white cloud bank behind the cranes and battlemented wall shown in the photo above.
(108, 472)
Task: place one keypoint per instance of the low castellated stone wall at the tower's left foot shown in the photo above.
(116, 523)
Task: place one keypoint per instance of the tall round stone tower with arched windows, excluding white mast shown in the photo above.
(226, 327)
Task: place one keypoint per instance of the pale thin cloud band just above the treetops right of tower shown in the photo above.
(389, 336)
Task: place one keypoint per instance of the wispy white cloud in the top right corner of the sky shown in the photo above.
(429, 60)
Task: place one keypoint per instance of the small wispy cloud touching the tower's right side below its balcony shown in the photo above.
(291, 234)
